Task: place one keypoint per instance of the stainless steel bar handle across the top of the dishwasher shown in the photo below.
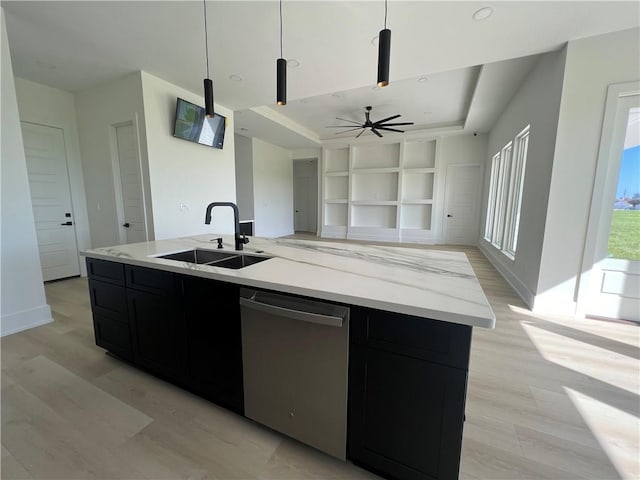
(291, 307)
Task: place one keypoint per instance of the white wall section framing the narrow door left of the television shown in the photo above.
(98, 110)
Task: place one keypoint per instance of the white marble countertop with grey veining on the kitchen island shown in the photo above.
(427, 283)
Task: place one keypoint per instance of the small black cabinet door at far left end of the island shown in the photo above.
(110, 320)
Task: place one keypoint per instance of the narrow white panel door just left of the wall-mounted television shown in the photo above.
(132, 221)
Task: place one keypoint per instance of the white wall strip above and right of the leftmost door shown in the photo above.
(56, 108)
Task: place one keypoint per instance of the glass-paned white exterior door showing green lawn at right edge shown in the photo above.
(614, 287)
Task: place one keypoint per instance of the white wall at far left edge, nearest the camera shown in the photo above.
(22, 300)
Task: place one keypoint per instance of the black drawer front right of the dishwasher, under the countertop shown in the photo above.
(431, 340)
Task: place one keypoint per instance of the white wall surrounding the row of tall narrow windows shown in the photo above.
(535, 103)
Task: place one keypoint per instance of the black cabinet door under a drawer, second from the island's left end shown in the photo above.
(158, 333)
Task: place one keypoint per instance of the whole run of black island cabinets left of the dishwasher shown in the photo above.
(182, 328)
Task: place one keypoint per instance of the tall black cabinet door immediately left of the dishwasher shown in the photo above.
(214, 344)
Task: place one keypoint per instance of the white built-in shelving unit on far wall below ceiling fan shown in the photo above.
(380, 191)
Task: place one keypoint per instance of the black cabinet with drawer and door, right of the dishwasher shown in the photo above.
(407, 390)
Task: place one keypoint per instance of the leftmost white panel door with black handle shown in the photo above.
(51, 200)
